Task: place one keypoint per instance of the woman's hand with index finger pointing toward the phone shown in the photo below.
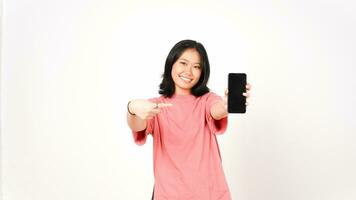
(145, 109)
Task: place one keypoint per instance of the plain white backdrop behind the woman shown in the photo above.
(69, 67)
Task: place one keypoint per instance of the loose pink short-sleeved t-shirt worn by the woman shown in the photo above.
(187, 161)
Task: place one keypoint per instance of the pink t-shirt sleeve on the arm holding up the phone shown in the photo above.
(215, 126)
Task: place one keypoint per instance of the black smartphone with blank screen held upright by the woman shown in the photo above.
(236, 102)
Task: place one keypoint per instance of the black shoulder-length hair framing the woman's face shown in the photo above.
(167, 86)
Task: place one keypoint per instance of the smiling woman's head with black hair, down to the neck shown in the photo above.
(187, 67)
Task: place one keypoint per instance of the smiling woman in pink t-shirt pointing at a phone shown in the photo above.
(184, 122)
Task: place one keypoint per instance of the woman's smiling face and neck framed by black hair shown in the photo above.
(186, 71)
